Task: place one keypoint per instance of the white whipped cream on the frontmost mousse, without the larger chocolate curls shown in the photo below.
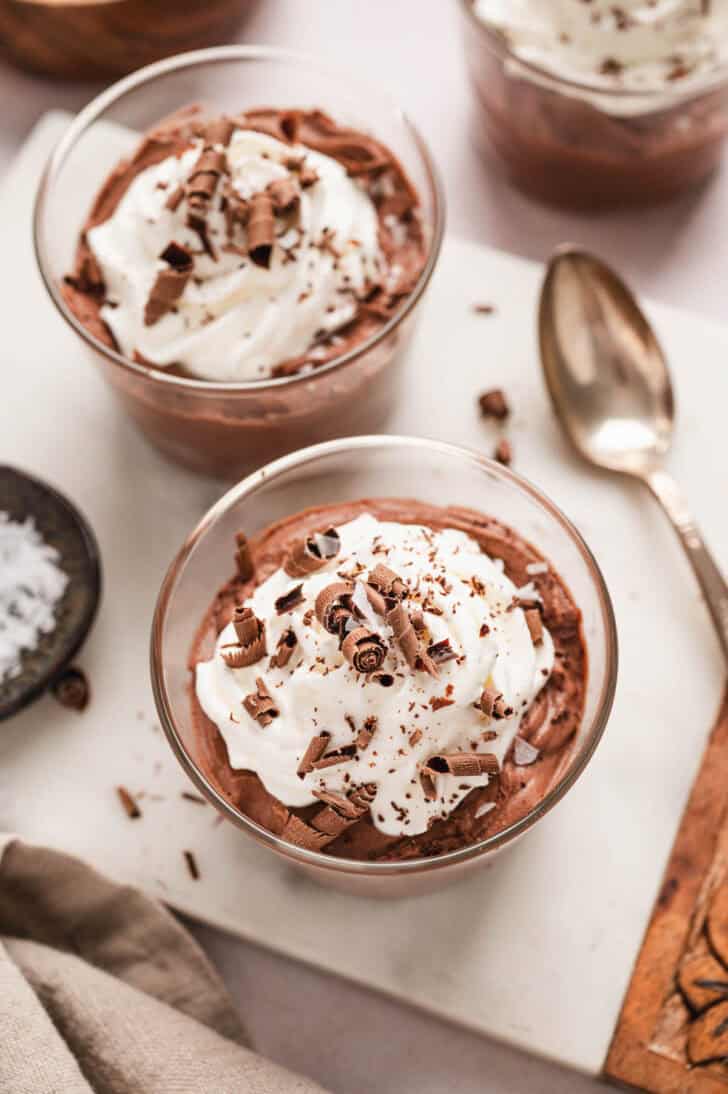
(418, 717)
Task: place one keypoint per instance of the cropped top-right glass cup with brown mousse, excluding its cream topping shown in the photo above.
(570, 145)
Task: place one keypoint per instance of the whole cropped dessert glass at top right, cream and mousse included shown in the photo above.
(597, 107)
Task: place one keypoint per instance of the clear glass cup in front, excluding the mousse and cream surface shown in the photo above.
(348, 470)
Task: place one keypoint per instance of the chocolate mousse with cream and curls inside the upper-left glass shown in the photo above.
(248, 248)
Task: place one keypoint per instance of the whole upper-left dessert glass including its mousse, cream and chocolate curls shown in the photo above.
(202, 412)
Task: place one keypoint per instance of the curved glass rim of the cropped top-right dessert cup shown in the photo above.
(651, 99)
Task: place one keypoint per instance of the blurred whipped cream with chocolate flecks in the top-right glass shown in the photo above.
(639, 45)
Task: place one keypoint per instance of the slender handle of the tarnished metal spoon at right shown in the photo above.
(710, 578)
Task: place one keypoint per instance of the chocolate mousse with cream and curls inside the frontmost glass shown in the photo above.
(386, 680)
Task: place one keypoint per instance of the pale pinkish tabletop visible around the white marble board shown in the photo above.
(346, 1038)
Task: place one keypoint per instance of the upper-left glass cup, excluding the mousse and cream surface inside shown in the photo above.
(226, 429)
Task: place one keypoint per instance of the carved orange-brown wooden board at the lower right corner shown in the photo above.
(673, 1033)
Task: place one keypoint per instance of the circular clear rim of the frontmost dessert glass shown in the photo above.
(309, 457)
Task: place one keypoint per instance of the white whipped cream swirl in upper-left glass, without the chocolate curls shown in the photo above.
(237, 320)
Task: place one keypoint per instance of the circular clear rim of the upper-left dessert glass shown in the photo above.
(215, 55)
